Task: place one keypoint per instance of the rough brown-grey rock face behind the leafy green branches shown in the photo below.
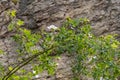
(103, 14)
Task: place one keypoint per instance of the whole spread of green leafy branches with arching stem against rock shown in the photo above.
(96, 57)
